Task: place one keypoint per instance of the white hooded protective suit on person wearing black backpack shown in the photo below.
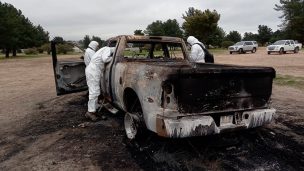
(197, 54)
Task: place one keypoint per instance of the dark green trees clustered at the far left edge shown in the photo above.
(17, 31)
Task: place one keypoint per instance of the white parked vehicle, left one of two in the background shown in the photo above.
(243, 47)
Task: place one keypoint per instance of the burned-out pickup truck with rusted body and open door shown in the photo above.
(153, 82)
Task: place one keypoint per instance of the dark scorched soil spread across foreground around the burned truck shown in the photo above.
(54, 130)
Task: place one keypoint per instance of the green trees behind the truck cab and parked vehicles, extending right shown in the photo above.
(204, 26)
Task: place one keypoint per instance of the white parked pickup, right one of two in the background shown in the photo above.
(283, 46)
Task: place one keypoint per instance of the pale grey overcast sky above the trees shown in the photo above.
(72, 19)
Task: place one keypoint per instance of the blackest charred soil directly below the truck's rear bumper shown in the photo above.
(258, 149)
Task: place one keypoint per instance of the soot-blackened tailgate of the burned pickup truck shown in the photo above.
(222, 87)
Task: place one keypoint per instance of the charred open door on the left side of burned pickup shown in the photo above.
(69, 75)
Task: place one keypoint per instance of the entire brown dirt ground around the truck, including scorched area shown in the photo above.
(39, 130)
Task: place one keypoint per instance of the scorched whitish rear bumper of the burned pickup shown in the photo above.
(201, 125)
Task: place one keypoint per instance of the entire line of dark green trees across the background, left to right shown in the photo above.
(18, 32)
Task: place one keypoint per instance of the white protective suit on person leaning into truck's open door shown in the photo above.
(94, 74)
